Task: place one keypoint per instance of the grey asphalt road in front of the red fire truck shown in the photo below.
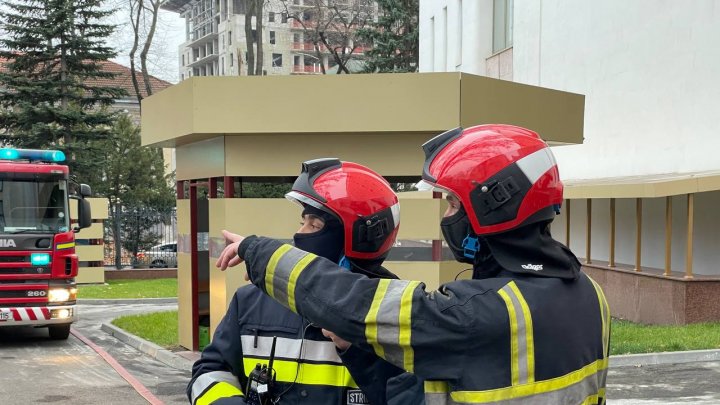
(34, 369)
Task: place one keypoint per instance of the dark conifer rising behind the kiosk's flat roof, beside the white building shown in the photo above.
(394, 38)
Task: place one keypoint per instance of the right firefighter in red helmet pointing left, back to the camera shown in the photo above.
(530, 327)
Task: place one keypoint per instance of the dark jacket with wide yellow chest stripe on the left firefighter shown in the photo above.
(244, 338)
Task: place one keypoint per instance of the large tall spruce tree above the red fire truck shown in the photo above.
(51, 94)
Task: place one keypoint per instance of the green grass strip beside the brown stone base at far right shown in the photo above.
(627, 337)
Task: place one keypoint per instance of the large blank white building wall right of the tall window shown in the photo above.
(648, 70)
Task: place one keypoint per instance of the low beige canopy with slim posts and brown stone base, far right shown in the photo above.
(651, 241)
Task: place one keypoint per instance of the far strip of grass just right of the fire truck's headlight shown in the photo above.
(155, 288)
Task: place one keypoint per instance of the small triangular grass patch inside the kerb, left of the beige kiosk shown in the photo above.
(158, 327)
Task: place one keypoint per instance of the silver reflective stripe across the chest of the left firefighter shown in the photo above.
(313, 350)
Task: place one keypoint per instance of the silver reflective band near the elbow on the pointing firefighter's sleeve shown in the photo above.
(388, 322)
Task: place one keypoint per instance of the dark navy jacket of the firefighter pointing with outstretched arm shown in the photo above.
(510, 339)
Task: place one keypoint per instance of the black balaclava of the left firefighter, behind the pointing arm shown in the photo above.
(328, 242)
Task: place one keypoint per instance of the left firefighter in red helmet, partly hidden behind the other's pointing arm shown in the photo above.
(350, 216)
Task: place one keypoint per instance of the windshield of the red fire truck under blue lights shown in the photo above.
(33, 206)
